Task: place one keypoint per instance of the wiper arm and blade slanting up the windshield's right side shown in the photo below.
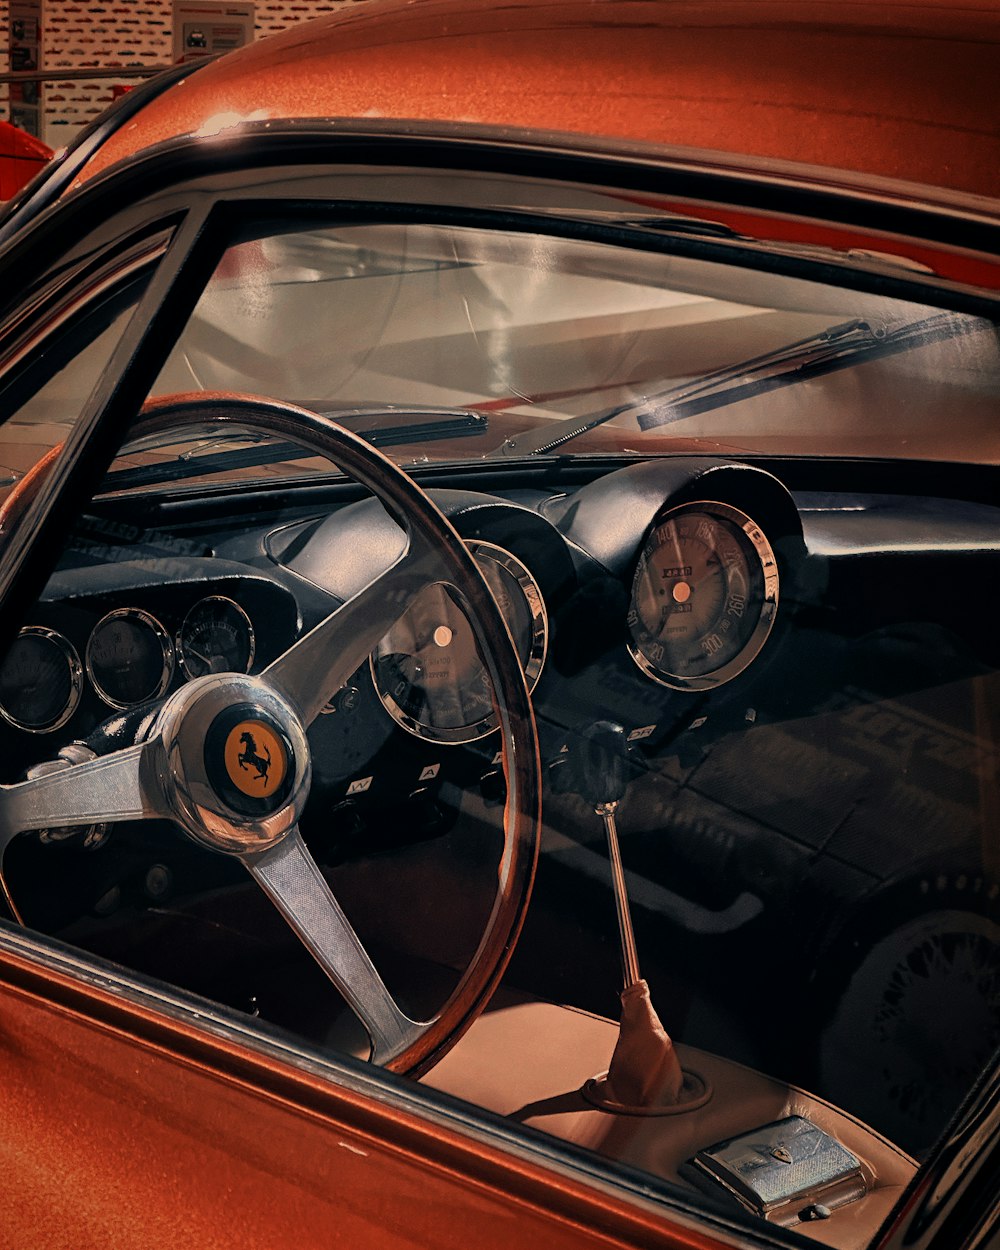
(849, 343)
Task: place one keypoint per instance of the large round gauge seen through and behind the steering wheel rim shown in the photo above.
(428, 671)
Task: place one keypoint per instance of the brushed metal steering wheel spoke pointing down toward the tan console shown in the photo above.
(291, 878)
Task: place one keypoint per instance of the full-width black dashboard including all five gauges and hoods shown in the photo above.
(652, 596)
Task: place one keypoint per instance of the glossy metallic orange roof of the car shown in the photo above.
(892, 91)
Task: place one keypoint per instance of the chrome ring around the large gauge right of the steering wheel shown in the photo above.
(768, 612)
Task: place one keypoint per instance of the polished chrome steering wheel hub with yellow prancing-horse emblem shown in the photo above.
(236, 763)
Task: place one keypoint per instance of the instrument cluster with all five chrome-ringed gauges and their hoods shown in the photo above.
(697, 582)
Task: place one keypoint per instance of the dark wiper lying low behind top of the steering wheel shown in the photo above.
(429, 424)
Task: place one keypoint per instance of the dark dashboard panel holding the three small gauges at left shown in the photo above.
(118, 636)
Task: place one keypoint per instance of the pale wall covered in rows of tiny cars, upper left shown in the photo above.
(98, 34)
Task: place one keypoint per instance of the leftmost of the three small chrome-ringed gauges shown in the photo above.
(41, 681)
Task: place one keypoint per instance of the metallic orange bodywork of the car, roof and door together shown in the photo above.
(137, 1129)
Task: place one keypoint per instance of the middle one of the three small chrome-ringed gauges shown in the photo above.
(129, 658)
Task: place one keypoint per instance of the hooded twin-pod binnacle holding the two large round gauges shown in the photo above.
(639, 581)
